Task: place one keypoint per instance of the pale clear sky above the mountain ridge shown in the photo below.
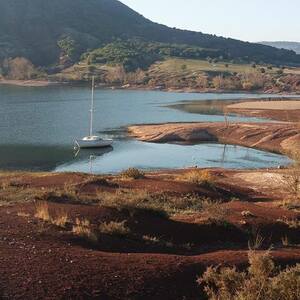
(248, 20)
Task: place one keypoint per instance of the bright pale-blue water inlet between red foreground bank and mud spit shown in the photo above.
(149, 156)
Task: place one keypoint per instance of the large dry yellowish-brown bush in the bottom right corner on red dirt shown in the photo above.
(261, 281)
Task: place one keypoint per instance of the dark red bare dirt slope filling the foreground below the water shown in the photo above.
(40, 260)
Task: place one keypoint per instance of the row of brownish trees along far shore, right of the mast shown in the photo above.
(251, 81)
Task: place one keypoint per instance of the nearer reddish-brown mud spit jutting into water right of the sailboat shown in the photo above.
(274, 137)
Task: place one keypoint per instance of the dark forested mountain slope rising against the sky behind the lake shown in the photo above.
(32, 28)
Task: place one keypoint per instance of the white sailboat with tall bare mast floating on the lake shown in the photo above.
(92, 141)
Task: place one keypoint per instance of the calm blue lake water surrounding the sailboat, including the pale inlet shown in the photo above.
(38, 127)
